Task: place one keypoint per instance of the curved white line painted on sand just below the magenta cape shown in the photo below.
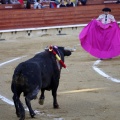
(103, 73)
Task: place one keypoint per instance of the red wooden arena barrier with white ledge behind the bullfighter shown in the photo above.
(28, 20)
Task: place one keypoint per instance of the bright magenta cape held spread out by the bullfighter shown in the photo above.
(101, 40)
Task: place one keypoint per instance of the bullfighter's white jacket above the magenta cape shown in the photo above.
(105, 20)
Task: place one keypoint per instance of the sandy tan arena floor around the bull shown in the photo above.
(83, 94)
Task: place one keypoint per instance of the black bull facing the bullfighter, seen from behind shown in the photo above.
(42, 72)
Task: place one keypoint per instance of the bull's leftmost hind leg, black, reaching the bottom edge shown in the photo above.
(20, 112)
